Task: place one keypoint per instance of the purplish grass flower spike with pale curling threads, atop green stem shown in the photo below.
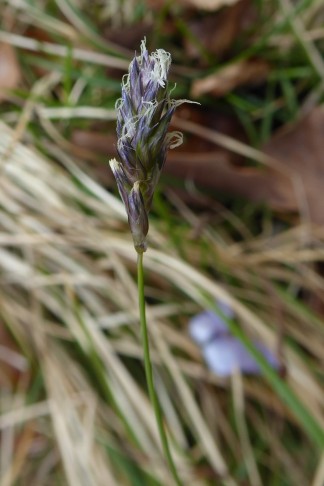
(143, 115)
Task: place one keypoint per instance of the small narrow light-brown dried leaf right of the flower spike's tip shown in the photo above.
(230, 77)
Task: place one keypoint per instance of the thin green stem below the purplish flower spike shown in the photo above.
(149, 371)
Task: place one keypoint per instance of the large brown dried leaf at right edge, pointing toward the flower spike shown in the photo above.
(297, 148)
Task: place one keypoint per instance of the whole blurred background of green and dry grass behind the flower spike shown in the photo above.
(74, 407)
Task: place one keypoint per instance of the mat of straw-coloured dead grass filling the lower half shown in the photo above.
(68, 296)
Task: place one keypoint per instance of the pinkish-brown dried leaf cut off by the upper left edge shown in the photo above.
(10, 74)
